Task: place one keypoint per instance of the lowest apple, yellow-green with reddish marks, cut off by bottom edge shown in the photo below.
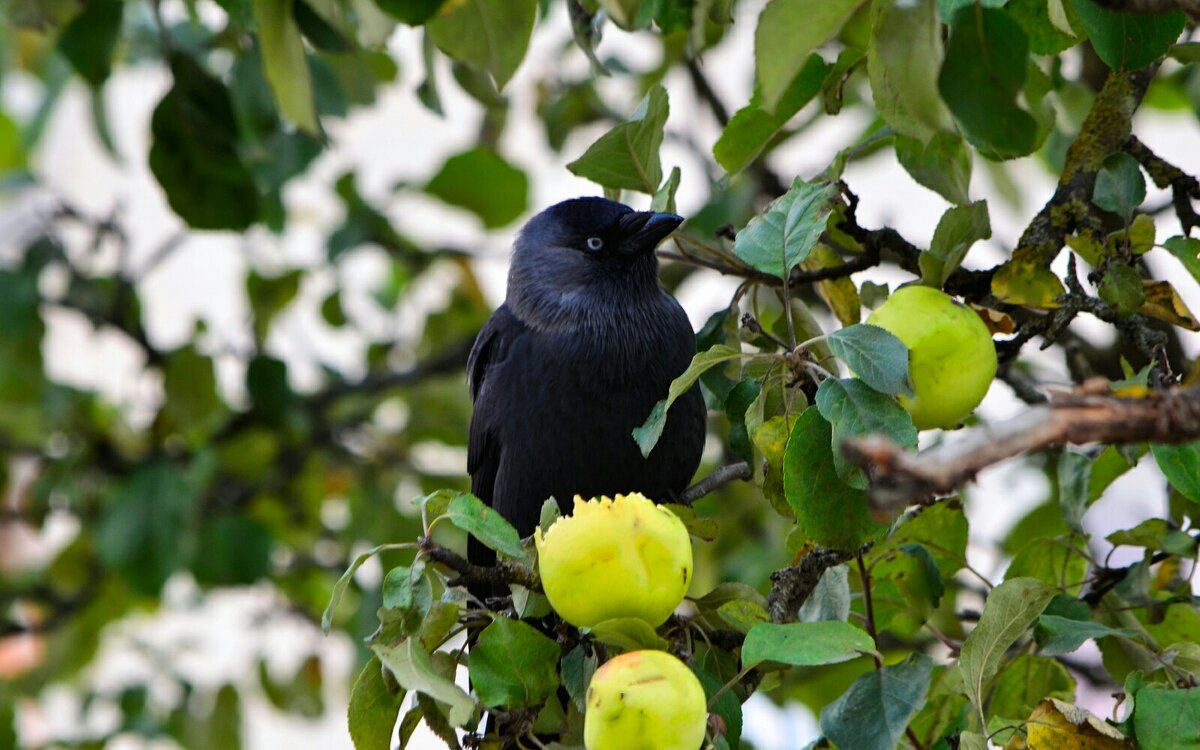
(645, 701)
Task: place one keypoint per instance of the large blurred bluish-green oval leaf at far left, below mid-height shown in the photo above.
(141, 529)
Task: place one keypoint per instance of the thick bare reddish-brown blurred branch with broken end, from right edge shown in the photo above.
(899, 477)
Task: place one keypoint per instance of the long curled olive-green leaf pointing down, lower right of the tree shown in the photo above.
(1010, 611)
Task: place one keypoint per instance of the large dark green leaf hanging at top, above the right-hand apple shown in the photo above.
(983, 73)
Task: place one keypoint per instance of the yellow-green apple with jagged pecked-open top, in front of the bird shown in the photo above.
(625, 557)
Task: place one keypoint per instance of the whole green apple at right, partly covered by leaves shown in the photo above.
(952, 359)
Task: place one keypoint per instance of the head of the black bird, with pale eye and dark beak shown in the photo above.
(586, 251)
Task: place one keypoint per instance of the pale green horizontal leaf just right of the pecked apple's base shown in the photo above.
(806, 645)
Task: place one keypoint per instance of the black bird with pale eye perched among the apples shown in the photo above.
(585, 345)
